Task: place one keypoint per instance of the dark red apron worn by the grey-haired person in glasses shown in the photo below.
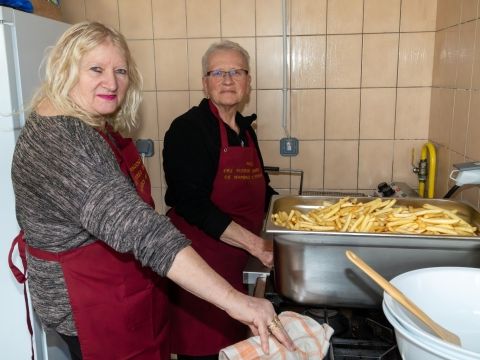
(199, 328)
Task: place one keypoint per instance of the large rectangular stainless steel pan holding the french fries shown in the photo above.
(311, 267)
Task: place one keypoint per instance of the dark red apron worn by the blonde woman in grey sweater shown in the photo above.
(119, 308)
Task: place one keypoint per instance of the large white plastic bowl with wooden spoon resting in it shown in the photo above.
(451, 297)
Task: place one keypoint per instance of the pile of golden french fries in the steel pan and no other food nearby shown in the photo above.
(378, 216)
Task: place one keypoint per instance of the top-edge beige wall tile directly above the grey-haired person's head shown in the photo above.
(237, 18)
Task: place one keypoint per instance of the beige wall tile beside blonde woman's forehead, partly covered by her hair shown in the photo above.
(143, 53)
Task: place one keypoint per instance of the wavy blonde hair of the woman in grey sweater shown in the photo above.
(62, 72)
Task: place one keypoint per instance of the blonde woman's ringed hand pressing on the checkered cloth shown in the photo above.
(260, 316)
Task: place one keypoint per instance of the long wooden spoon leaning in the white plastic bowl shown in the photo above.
(395, 293)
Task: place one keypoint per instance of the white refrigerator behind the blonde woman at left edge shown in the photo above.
(23, 40)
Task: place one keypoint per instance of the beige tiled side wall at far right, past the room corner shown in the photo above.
(455, 99)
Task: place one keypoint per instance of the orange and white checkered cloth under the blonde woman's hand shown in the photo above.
(311, 339)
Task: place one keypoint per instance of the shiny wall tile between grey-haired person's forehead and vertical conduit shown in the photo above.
(269, 62)
